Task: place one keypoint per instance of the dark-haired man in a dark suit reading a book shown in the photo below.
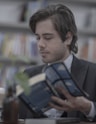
(56, 34)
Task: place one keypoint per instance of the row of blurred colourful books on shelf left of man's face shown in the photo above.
(18, 44)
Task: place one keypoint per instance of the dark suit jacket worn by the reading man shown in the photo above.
(85, 75)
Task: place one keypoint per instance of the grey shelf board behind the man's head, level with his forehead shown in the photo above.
(23, 28)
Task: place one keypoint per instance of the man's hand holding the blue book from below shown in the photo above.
(71, 103)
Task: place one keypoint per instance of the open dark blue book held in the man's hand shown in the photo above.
(43, 86)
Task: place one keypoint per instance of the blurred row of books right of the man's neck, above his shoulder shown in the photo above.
(87, 47)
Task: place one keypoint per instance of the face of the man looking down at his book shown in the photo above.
(50, 45)
